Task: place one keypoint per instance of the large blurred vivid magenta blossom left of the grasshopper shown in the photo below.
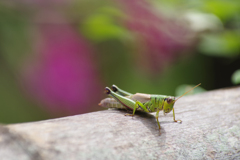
(62, 75)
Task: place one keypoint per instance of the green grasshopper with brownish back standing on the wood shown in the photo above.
(139, 101)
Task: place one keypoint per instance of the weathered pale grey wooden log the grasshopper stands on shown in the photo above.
(210, 130)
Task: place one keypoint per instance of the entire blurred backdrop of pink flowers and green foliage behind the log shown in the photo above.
(57, 56)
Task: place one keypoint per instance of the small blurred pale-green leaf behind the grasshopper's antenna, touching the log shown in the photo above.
(180, 90)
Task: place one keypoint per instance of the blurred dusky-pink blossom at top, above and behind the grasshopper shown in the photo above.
(163, 39)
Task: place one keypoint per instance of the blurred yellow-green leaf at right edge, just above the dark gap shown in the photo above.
(226, 44)
